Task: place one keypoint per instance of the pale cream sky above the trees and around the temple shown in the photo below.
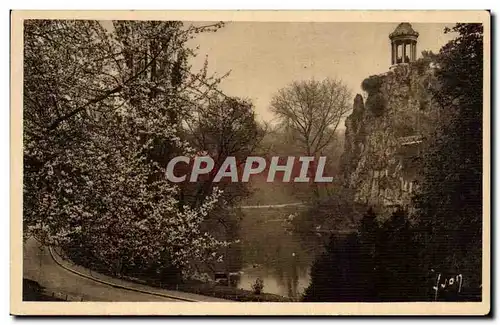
(266, 56)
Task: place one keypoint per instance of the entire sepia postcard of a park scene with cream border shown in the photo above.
(332, 162)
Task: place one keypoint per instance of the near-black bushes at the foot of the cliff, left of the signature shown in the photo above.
(375, 264)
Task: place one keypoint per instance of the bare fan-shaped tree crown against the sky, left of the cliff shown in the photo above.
(311, 111)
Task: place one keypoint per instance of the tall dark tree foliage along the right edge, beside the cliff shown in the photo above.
(450, 203)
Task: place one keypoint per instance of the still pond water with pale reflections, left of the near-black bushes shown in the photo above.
(271, 252)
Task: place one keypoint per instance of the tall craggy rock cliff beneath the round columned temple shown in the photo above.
(385, 135)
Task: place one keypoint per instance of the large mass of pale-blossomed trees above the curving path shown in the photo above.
(98, 103)
